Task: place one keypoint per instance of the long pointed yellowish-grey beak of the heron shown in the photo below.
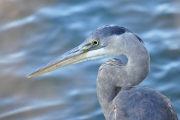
(75, 55)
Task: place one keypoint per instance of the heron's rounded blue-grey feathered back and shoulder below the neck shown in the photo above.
(141, 104)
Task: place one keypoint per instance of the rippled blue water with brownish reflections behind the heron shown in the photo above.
(35, 32)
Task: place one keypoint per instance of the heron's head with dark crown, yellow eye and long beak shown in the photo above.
(104, 41)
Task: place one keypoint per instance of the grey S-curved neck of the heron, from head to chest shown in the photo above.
(113, 74)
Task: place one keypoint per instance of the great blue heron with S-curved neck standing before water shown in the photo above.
(118, 98)
